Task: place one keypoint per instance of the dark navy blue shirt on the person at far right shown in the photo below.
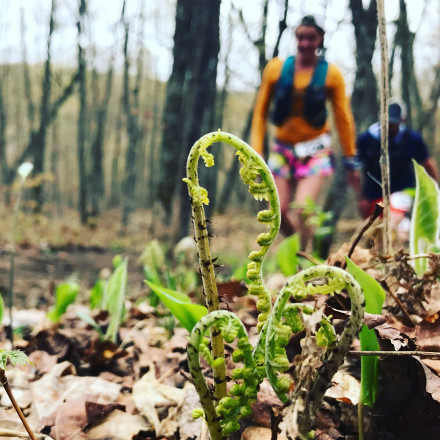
(403, 147)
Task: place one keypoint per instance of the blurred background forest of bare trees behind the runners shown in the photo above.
(106, 98)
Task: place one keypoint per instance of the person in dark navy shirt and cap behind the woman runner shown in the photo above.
(404, 145)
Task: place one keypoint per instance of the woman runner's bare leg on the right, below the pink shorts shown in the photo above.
(308, 187)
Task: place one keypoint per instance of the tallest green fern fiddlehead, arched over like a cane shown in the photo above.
(253, 168)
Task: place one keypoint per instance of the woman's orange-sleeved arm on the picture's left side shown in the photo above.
(262, 105)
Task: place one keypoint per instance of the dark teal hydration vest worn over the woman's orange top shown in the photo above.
(315, 111)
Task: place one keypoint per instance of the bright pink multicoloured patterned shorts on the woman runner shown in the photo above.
(283, 162)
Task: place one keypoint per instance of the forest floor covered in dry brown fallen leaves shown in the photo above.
(82, 388)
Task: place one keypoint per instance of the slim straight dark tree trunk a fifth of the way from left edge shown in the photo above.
(82, 116)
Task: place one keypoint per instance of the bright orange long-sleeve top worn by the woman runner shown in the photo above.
(296, 129)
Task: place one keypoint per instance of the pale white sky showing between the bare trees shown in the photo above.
(158, 28)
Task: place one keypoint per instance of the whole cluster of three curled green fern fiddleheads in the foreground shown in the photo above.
(268, 357)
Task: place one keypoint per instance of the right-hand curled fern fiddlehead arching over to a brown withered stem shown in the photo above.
(279, 330)
